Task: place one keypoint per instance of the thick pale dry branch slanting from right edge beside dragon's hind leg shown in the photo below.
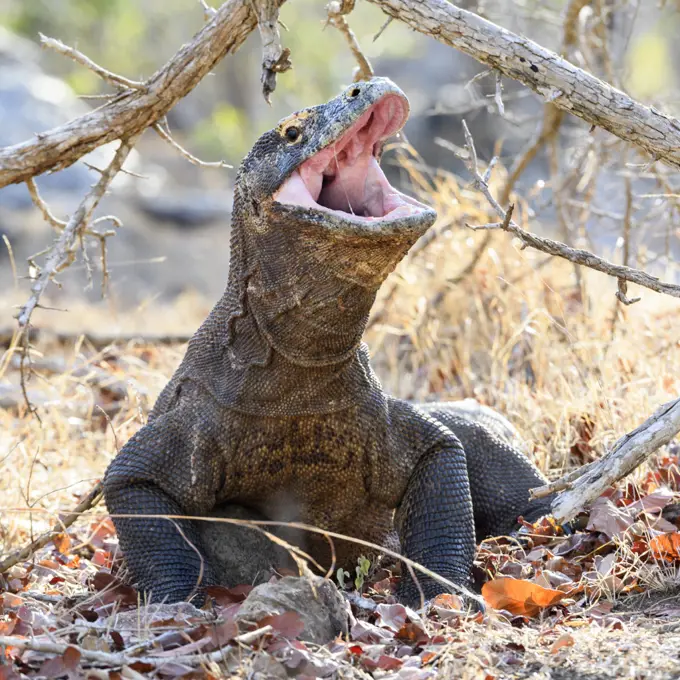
(628, 452)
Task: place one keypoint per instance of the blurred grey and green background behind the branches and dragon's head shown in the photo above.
(176, 216)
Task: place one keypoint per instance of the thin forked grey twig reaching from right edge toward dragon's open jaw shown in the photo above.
(546, 245)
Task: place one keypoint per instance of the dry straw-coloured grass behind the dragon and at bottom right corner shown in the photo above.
(513, 334)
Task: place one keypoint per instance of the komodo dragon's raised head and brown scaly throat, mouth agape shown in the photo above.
(318, 225)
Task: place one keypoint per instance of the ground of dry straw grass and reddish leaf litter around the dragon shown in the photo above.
(571, 368)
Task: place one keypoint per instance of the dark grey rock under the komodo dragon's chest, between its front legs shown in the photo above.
(240, 554)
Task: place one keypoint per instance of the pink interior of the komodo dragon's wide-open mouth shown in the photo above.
(344, 178)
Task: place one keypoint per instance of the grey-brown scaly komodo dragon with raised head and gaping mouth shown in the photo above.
(275, 406)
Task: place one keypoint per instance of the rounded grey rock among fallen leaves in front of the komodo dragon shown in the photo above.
(319, 603)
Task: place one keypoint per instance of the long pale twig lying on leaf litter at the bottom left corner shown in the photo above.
(123, 659)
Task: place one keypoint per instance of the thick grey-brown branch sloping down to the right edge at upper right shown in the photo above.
(545, 72)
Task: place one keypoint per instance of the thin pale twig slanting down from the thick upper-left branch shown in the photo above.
(61, 251)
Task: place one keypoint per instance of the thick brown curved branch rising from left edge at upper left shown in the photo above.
(130, 112)
